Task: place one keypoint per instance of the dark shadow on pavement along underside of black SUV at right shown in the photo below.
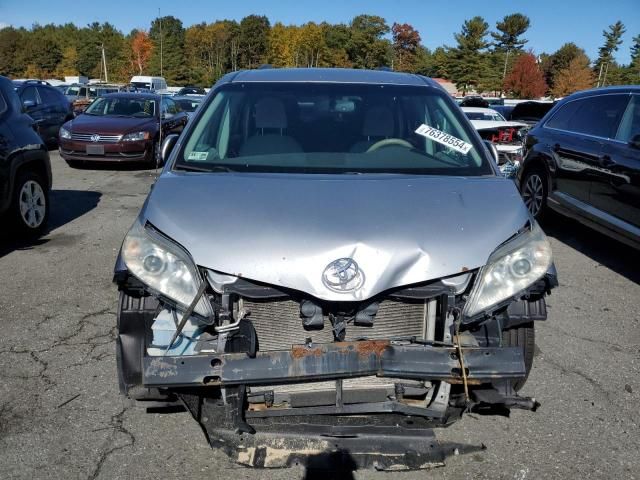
(608, 252)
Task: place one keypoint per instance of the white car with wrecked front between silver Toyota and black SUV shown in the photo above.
(508, 137)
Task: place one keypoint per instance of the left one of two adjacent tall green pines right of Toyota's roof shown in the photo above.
(467, 62)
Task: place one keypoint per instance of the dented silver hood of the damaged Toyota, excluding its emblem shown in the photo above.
(285, 229)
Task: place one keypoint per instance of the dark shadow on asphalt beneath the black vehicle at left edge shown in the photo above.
(66, 206)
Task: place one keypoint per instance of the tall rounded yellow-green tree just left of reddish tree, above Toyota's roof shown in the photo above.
(367, 48)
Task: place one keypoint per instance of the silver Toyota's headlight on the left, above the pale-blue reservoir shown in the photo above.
(164, 266)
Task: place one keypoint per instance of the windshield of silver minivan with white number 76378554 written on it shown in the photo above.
(332, 128)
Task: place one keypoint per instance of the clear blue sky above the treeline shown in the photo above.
(553, 22)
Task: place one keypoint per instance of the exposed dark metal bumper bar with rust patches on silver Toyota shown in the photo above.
(334, 361)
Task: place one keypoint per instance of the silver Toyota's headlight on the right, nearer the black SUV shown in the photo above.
(510, 269)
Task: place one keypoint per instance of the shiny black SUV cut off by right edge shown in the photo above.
(583, 161)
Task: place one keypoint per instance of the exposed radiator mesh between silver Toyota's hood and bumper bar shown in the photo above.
(278, 324)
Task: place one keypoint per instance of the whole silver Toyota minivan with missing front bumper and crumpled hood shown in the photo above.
(330, 261)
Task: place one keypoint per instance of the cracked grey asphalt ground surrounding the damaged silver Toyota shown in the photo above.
(61, 415)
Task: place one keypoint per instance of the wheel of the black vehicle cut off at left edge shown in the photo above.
(30, 205)
